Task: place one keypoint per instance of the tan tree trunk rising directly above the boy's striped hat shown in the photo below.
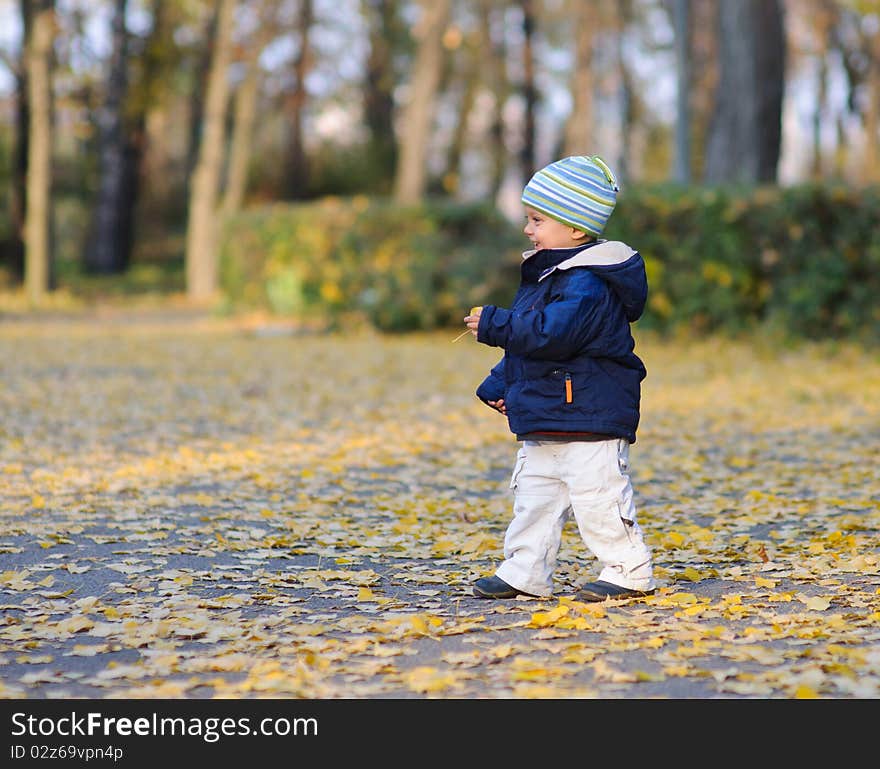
(579, 126)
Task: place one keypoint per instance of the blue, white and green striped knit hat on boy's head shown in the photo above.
(579, 191)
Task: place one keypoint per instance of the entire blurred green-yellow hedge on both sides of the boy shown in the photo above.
(801, 261)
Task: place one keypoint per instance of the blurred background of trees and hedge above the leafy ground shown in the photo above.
(343, 162)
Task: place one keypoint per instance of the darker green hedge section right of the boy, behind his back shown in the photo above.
(803, 261)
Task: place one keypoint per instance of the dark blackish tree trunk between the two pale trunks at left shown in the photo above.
(106, 250)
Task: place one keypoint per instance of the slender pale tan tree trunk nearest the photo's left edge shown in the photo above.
(38, 257)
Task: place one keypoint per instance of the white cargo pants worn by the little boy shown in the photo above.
(589, 480)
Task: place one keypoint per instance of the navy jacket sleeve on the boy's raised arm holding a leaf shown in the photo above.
(573, 319)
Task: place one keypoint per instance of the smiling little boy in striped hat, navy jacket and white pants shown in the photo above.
(569, 383)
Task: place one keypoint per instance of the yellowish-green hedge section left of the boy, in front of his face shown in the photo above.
(400, 268)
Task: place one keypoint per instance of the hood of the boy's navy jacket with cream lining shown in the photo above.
(622, 268)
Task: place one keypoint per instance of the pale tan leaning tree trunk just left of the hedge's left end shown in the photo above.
(201, 234)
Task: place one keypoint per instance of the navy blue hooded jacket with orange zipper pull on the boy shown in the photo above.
(568, 363)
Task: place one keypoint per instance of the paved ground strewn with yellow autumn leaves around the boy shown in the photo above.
(196, 509)
